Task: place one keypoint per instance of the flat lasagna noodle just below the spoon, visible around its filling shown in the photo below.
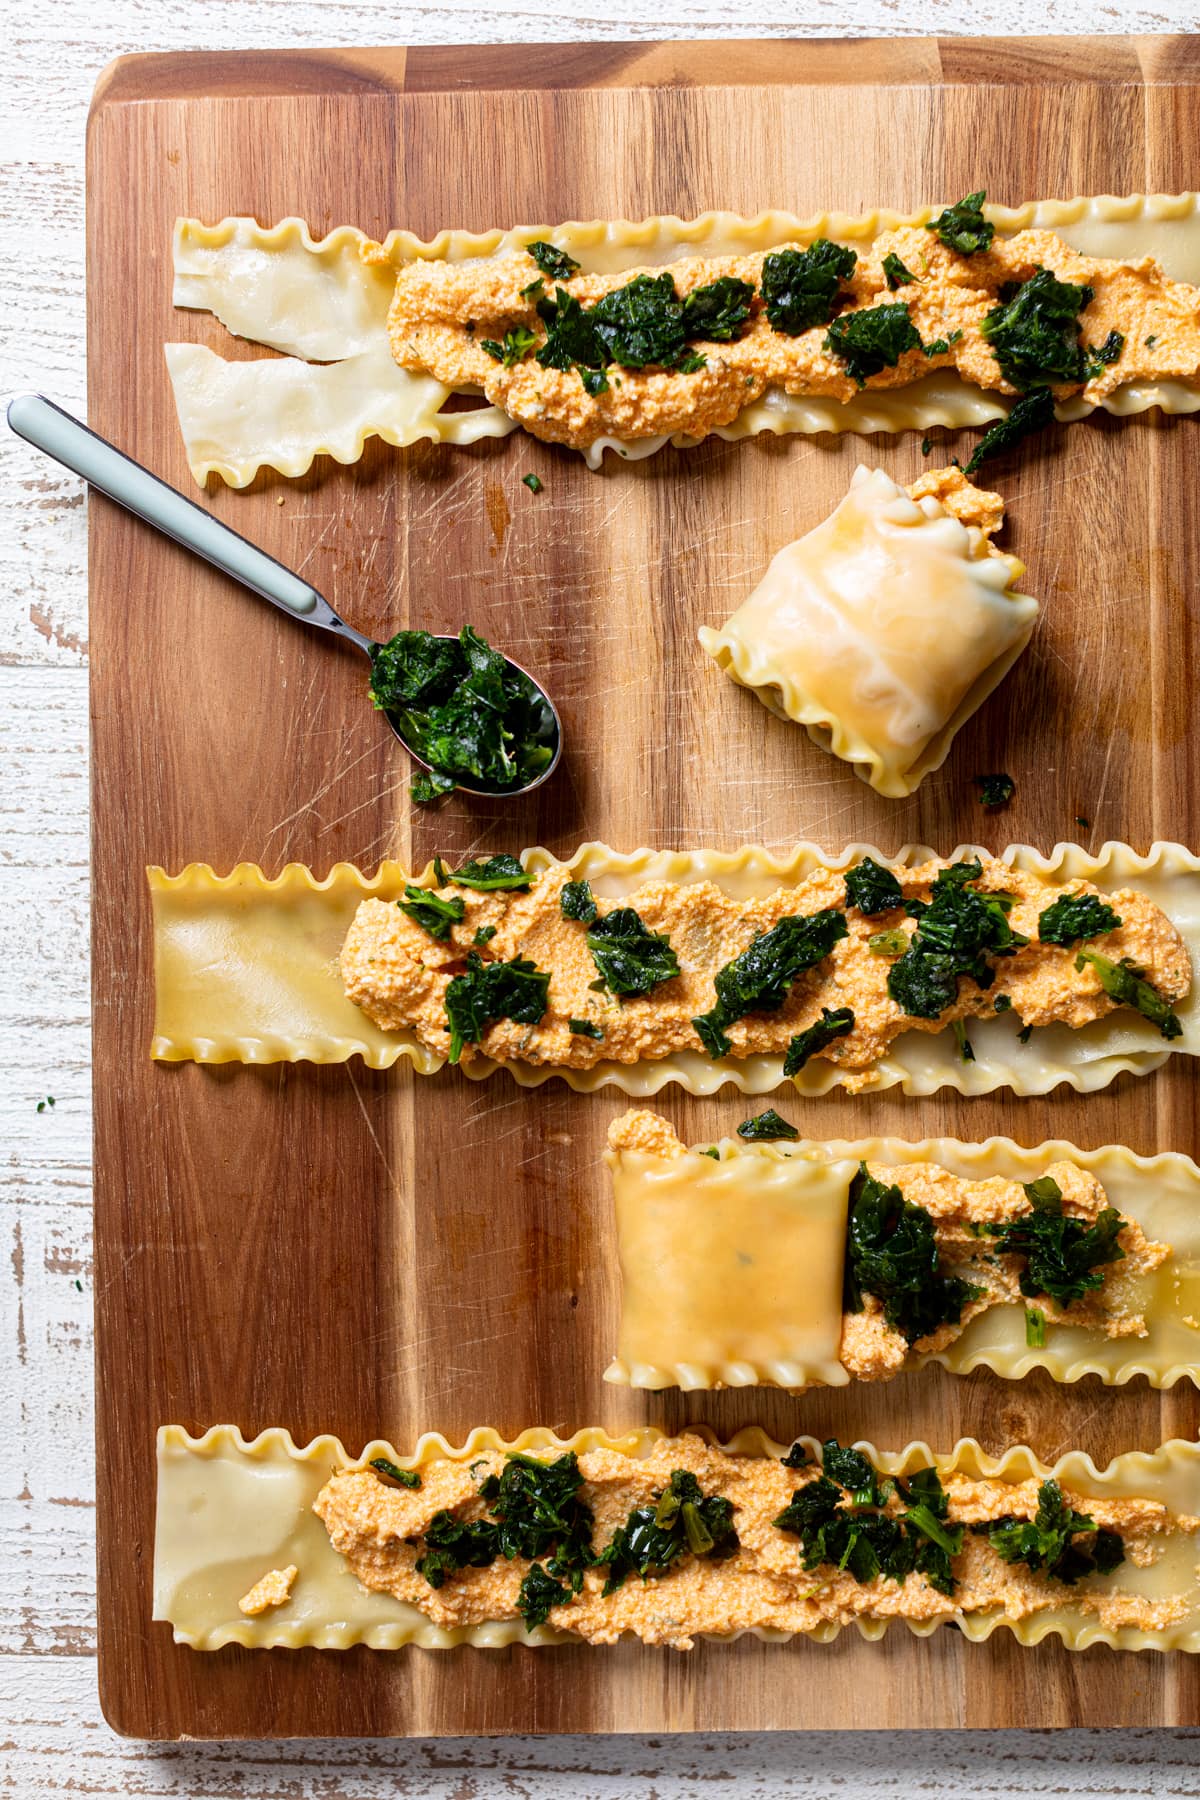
(247, 973)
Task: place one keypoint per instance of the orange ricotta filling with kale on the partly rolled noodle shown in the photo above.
(1055, 1246)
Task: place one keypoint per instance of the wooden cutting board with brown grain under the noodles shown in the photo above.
(336, 1250)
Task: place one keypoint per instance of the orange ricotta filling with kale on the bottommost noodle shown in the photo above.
(694, 1540)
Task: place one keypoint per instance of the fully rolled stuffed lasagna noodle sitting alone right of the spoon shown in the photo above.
(882, 629)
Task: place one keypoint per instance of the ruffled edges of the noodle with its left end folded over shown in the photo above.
(976, 1162)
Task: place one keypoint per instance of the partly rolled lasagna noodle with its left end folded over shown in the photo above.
(690, 1228)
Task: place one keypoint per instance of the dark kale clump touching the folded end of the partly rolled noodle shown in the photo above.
(891, 1252)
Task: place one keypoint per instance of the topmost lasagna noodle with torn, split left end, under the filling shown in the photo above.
(314, 301)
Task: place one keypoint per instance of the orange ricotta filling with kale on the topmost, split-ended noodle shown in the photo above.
(683, 348)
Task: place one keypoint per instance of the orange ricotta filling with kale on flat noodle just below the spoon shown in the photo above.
(542, 971)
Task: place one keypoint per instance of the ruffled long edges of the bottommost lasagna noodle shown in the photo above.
(1136, 1473)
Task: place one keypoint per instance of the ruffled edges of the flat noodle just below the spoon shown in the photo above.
(918, 1063)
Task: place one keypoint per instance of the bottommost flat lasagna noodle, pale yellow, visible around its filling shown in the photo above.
(231, 1509)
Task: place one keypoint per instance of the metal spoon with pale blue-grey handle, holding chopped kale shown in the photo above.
(125, 481)
